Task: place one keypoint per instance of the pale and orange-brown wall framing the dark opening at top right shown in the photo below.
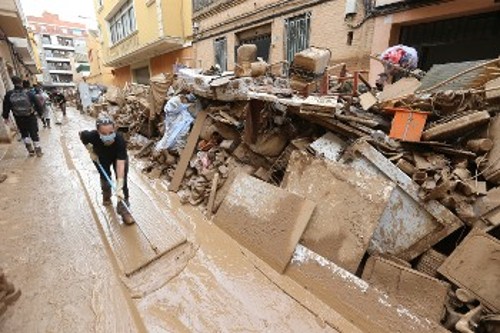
(386, 29)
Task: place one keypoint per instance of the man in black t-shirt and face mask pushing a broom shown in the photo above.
(108, 148)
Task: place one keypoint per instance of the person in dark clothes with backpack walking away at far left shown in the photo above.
(23, 105)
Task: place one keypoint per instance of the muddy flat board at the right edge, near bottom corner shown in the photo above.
(474, 265)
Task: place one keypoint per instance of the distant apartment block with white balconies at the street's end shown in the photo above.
(59, 43)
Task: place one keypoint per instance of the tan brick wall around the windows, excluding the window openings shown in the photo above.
(327, 29)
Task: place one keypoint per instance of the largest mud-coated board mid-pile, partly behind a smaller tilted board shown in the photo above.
(349, 207)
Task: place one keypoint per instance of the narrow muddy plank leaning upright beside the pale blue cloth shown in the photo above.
(188, 151)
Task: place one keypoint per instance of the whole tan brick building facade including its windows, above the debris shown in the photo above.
(280, 28)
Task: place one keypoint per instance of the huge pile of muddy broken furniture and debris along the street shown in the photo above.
(390, 197)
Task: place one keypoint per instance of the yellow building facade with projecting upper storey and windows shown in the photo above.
(141, 39)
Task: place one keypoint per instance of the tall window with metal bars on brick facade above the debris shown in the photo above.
(297, 34)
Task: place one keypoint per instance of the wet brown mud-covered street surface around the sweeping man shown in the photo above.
(59, 247)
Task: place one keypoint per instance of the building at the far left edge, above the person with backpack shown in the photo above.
(17, 55)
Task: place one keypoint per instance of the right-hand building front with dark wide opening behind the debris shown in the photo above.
(441, 31)
